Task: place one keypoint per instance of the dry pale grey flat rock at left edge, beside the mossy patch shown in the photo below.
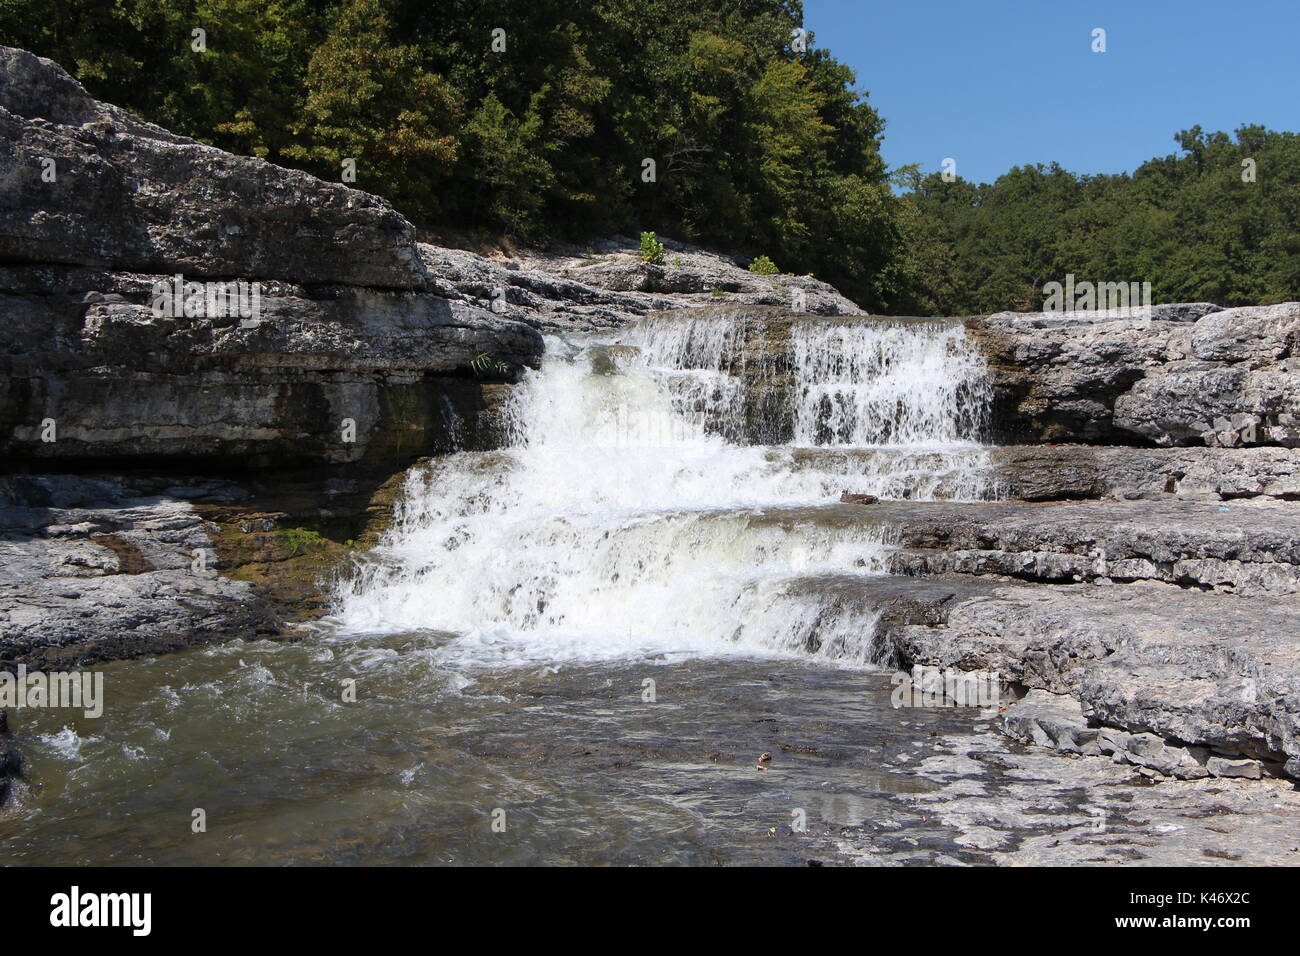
(102, 569)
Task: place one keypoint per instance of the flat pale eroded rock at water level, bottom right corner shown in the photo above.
(1029, 807)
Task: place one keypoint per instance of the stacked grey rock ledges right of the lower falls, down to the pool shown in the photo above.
(1168, 628)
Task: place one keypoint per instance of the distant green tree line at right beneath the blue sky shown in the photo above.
(1193, 226)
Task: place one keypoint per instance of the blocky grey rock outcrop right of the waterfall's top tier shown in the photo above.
(1190, 375)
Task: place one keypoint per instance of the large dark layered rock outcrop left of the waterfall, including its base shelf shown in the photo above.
(352, 366)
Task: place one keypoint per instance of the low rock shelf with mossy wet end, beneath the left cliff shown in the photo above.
(103, 568)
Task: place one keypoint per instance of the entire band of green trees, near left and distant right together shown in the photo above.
(759, 145)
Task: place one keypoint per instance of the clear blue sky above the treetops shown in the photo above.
(995, 84)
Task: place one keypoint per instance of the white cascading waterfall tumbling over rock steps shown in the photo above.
(635, 514)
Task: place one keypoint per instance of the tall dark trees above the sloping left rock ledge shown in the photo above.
(756, 144)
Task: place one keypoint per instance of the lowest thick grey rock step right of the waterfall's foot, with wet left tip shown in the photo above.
(1146, 672)
